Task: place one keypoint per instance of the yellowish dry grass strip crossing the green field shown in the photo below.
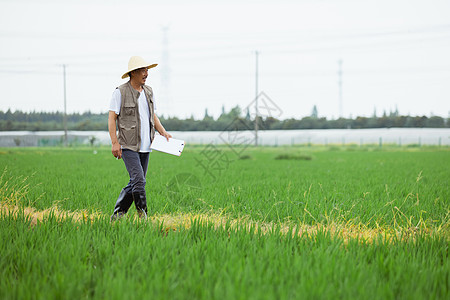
(173, 222)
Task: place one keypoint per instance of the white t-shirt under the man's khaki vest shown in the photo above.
(115, 105)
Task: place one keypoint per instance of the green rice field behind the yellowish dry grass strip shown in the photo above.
(310, 184)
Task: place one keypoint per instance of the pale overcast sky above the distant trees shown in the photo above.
(395, 54)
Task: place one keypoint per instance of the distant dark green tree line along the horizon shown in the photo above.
(231, 120)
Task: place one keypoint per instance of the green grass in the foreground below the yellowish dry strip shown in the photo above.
(130, 259)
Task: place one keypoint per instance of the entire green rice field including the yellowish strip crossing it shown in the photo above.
(294, 222)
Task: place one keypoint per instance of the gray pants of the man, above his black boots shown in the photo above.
(136, 164)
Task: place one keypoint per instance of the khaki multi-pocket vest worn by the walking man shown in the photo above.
(128, 121)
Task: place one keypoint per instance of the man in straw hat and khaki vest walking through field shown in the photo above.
(132, 110)
